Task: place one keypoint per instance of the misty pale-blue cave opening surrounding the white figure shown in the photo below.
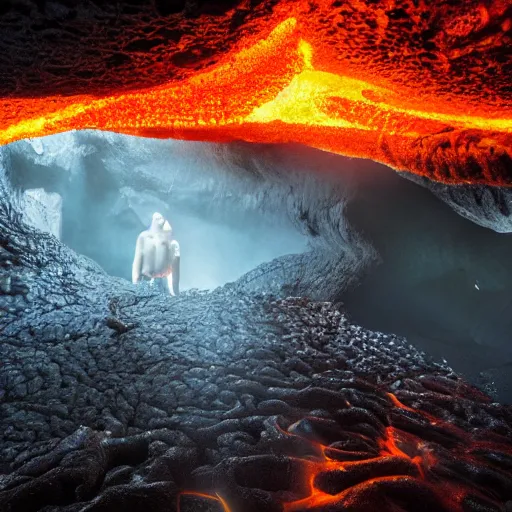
(97, 203)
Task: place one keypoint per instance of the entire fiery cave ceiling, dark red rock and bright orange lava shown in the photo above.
(420, 86)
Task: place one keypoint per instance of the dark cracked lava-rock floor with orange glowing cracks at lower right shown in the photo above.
(113, 398)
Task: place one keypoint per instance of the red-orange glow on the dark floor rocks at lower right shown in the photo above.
(405, 461)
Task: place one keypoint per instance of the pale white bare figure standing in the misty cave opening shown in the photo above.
(157, 257)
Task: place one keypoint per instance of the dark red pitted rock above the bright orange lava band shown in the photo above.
(456, 49)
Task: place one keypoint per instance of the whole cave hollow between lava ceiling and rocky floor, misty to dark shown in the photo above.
(440, 280)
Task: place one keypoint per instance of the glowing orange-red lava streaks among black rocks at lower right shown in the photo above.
(396, 445)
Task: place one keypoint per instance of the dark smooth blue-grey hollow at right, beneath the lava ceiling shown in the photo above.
(444, 282)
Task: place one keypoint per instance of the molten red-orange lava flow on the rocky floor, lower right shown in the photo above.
(405, 466)
